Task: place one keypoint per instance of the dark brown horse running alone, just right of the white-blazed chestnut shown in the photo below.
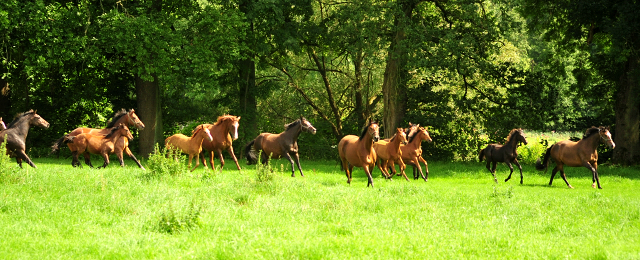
(280, 145)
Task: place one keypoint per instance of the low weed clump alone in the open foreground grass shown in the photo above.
(173, 222)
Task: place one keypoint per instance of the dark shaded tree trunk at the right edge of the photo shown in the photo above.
(627, 128)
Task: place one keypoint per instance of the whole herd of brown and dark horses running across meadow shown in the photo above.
(366, 151)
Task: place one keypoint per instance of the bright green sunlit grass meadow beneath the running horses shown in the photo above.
(56, 211)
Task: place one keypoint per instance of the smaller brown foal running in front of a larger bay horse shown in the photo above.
(87, 144)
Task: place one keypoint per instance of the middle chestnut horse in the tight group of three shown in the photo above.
(389, 153)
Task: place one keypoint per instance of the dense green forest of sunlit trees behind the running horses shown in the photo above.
(470, 70)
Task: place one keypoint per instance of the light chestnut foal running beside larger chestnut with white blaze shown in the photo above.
(189, 145)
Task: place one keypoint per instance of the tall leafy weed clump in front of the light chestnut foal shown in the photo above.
(165, 162)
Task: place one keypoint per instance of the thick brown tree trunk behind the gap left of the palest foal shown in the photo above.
(149, 111)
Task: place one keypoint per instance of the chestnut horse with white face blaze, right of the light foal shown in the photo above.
(224, 131)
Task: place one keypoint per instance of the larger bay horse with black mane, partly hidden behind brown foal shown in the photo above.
(129, 118)
